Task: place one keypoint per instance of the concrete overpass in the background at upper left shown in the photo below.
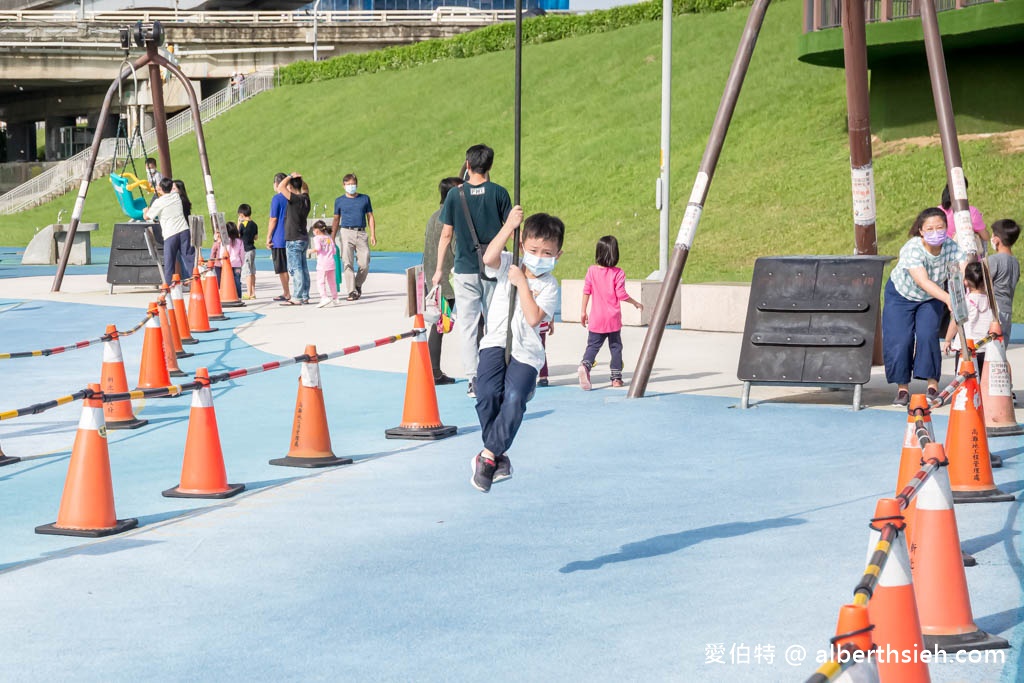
(57, 65)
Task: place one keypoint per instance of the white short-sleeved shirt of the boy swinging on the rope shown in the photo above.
(527, 346)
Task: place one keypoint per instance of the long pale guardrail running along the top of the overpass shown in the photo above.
(441, 15)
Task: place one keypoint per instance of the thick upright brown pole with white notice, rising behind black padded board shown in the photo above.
(860, 124)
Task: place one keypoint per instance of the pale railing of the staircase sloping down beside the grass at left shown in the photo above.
(61, 179)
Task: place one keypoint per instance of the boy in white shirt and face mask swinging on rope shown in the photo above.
(502, 391)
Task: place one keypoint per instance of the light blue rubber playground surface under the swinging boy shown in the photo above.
(675, 538)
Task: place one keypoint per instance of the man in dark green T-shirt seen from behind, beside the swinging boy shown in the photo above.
(474, 214)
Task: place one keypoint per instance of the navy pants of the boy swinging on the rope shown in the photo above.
(501, 398)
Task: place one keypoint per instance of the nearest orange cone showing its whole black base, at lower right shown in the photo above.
(944, 603)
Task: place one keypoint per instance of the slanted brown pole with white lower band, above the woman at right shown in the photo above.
(948, 131)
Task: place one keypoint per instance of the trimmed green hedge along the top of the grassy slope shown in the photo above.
(491, 39)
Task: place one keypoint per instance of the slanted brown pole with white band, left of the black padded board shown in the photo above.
(689, 228)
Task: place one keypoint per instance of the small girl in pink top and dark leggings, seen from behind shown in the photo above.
(606, 284)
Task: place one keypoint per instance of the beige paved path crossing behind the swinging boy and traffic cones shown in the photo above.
(694, 363)
